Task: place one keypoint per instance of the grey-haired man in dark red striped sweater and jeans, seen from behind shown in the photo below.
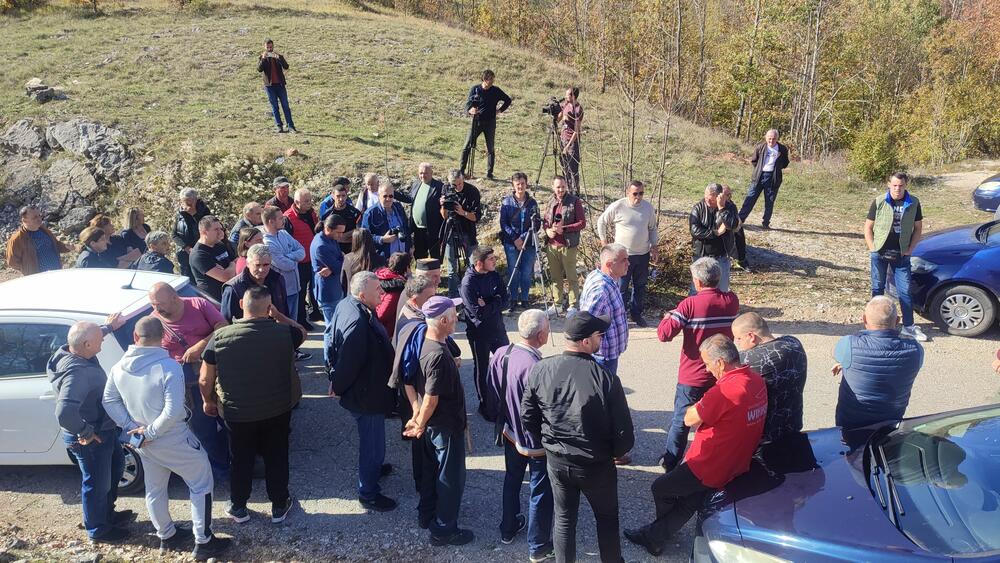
(708, 312)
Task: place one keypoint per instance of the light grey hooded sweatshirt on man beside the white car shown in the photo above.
(146, 388)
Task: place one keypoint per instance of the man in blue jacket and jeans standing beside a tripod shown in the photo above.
(518, 213)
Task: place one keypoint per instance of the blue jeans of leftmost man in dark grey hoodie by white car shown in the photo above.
(101, 466)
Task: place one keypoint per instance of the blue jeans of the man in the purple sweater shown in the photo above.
(539, 499)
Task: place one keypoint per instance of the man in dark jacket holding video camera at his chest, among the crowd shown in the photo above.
(460, 208)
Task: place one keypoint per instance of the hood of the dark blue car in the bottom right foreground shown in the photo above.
(813, 494)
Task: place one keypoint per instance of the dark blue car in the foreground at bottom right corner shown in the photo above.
(924, 489)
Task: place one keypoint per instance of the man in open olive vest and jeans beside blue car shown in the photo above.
(892, 231)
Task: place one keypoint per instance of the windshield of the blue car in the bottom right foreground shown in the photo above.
(941, 481)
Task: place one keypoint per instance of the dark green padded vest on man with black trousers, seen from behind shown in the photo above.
(255, 370)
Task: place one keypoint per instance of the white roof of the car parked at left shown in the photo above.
(97, 291)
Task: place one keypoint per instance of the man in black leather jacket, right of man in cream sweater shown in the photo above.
(712, 222)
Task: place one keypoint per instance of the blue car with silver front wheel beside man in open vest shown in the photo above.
(956, 278)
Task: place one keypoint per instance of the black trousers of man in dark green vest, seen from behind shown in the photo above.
(269, 438)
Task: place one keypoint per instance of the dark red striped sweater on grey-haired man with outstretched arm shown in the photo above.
(700, 316)
